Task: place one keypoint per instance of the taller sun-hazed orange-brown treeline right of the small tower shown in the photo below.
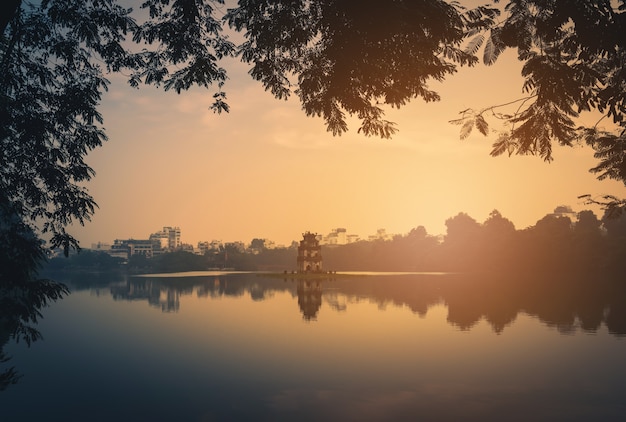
(555, 243)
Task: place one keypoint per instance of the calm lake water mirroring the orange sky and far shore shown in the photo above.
(239, 347)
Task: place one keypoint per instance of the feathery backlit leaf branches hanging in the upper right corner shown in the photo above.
(573, 57)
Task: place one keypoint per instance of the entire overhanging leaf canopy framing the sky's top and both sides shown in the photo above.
(338, 57)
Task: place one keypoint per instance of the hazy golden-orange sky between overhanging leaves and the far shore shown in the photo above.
(266, 170)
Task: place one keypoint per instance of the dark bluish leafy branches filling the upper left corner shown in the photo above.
(54, 56)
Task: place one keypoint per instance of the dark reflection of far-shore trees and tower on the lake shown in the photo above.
(567, 303)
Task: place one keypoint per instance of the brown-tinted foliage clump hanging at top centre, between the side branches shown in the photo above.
(348, 58)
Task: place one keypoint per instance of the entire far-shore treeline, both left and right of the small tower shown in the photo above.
(561, 241)
